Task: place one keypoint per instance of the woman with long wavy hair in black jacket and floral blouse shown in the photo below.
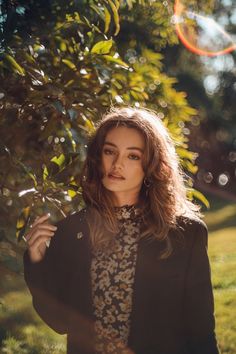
(130, 272)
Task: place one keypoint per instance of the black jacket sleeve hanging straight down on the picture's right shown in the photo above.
(199, 303)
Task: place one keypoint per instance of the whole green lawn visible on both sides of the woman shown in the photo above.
(22, 331)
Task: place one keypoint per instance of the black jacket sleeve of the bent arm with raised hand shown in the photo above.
(47, 282)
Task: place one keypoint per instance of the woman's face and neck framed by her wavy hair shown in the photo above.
(122, 156)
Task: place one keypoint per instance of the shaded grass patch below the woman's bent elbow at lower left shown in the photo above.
(21, 329)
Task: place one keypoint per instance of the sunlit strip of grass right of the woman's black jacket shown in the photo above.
(222, 252)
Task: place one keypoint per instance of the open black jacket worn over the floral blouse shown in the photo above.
(172, 311)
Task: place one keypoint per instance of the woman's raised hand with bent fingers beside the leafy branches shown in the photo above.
(38, 236)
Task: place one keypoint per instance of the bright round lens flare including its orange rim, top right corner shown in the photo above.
(203, 33)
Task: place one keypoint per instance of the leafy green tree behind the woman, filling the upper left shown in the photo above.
(58, 77)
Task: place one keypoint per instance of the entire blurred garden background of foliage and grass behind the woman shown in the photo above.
(62, 65)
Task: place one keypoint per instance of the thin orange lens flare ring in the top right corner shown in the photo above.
(179, 10)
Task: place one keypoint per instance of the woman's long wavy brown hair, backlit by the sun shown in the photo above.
(163, 199)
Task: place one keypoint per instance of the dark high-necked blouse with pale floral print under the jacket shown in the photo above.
(112, 284)
